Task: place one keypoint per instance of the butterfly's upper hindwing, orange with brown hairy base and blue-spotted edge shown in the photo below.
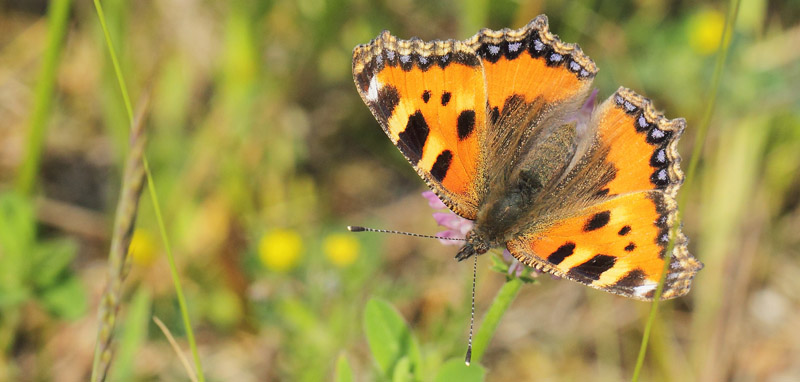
(534, 82)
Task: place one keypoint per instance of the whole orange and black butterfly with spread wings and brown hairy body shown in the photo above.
(496, 126)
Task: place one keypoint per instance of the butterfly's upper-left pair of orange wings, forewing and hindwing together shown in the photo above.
(444, 103)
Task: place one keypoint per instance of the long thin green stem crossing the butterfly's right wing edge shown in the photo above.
(724, 45)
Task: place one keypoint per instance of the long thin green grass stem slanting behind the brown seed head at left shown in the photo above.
(154, 198)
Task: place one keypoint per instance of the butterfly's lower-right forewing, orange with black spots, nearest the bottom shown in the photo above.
(617, 246)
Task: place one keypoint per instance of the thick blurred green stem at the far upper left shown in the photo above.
(57, 16)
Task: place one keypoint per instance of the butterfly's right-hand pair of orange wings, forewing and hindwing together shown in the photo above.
(618, 242)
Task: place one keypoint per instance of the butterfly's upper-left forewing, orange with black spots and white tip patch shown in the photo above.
(430, 100)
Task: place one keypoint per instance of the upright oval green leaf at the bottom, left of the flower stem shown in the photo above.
(389, 338)
